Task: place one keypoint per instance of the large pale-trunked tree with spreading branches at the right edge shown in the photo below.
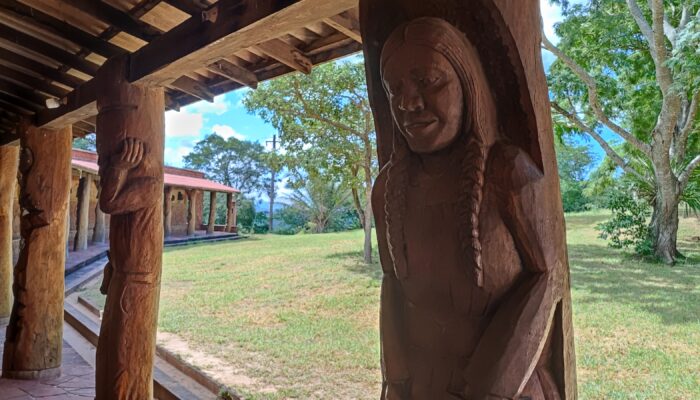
(633, 68)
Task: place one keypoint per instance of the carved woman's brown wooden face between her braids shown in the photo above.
(426, 97)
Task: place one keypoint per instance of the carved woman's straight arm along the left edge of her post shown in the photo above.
(394, 365)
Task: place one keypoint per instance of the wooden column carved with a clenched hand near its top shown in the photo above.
(130, 142)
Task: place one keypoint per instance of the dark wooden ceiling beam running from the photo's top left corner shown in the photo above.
(60, 28)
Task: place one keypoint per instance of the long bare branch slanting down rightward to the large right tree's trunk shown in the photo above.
(591, 84)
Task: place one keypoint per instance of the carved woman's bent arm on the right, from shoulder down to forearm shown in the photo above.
(511, 346)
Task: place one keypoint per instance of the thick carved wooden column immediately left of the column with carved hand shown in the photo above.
(35, 334)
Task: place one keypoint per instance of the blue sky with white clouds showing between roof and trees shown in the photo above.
(227, 117)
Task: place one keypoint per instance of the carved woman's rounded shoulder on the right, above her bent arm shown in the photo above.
(510, 167)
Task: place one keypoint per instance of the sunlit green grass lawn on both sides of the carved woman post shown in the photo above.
(297, 316)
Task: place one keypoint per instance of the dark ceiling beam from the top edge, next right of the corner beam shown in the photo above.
(117, 18)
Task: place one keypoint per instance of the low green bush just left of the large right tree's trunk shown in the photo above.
(628, 225)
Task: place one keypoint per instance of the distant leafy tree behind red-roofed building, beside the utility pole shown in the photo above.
(232, 162)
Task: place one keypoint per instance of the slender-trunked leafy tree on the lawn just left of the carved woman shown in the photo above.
(326, 127)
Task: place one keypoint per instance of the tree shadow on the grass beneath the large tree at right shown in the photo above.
(607, 276)
